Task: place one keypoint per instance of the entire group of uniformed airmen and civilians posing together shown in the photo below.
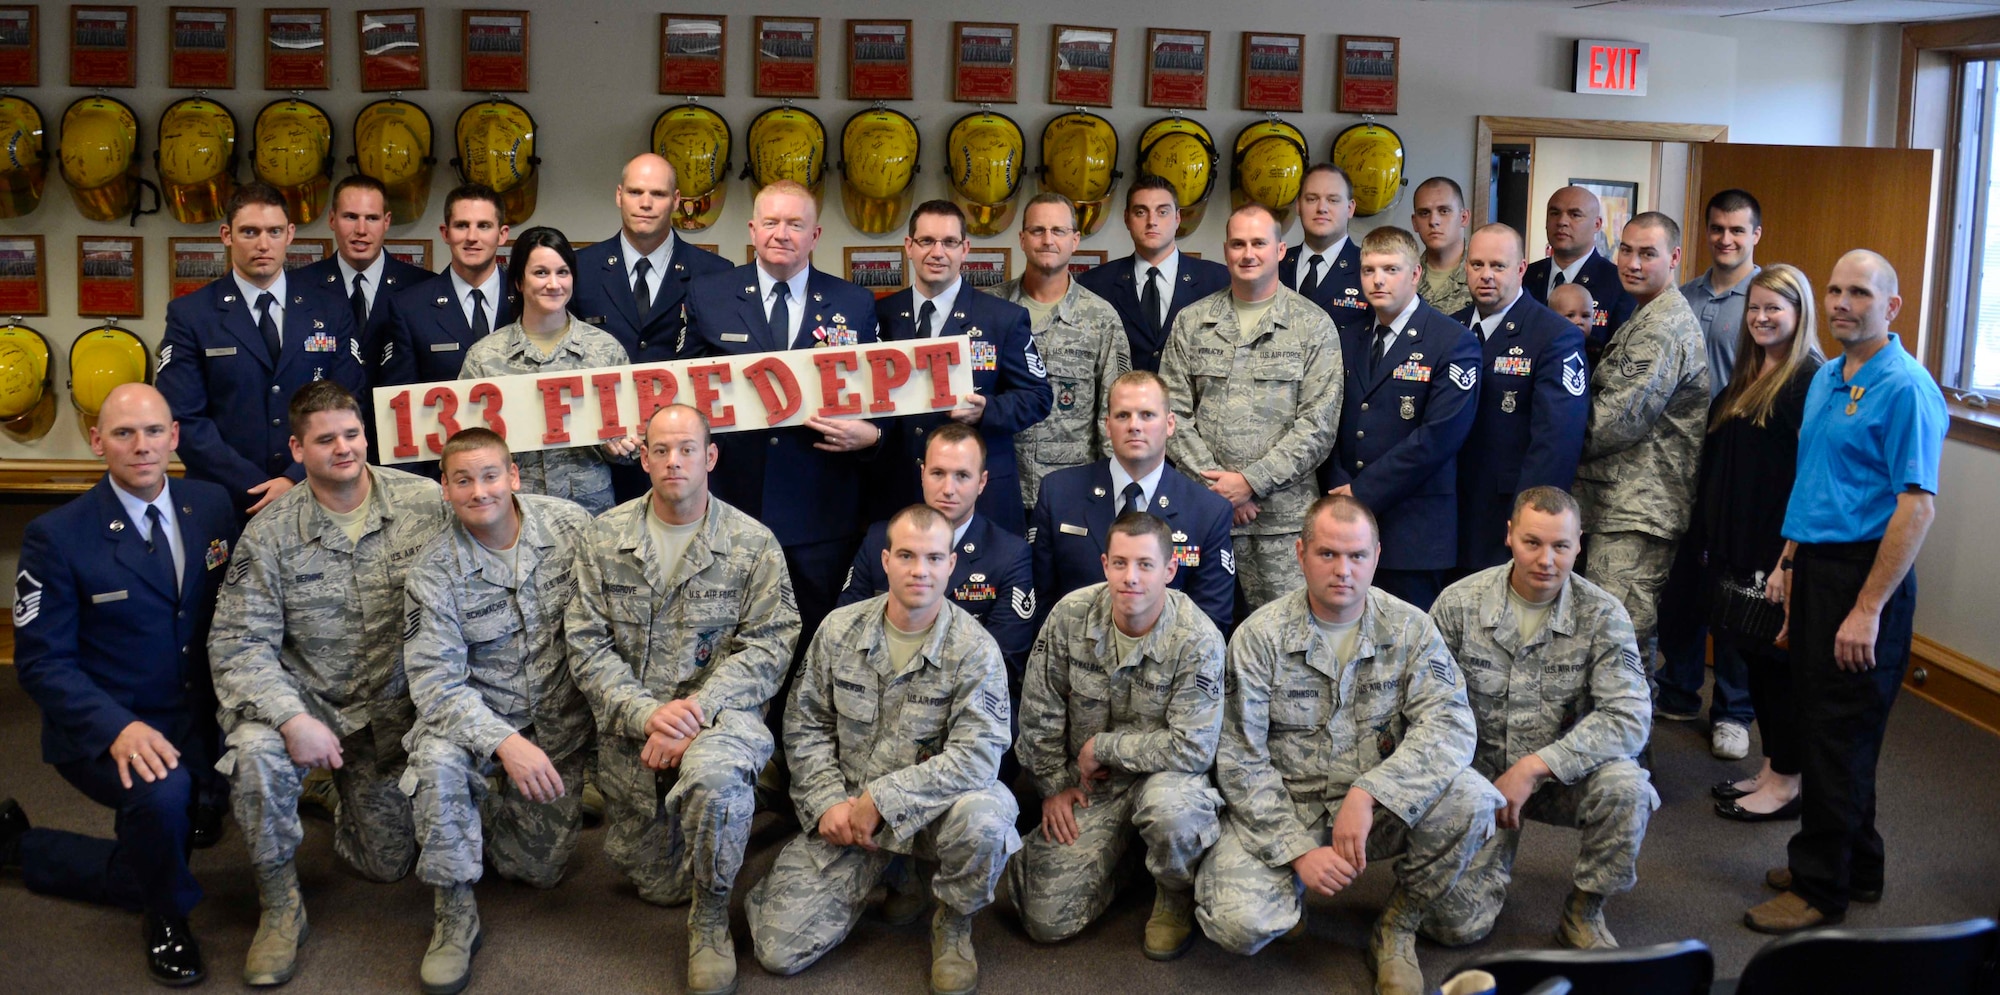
(1397, 592)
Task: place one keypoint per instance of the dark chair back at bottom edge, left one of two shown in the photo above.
(1683, 968)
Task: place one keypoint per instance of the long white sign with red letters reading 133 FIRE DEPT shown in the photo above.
(559, 411)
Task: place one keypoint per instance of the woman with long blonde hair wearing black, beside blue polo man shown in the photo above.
(1749, 463)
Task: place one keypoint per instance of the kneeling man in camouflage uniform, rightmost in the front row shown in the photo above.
(1563, 718)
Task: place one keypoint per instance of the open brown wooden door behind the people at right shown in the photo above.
(1821, 203)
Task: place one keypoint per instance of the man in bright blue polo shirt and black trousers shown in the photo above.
(1867, 479)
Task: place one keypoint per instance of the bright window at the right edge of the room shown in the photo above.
(1973, 305)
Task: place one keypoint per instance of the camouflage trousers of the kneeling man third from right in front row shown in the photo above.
(1063, 888)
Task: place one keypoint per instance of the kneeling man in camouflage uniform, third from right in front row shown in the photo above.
(1151, 720)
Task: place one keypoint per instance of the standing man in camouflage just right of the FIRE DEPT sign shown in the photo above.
(1083, 345)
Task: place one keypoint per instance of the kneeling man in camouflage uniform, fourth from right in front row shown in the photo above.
(893, 762)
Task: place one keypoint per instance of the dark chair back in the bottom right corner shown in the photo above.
(1935, 960)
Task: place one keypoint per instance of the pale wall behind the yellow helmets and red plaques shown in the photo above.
(597, 65)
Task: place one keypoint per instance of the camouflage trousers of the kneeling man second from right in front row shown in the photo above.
(1245, 904)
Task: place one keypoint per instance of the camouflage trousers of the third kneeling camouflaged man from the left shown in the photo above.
(695, 834)
